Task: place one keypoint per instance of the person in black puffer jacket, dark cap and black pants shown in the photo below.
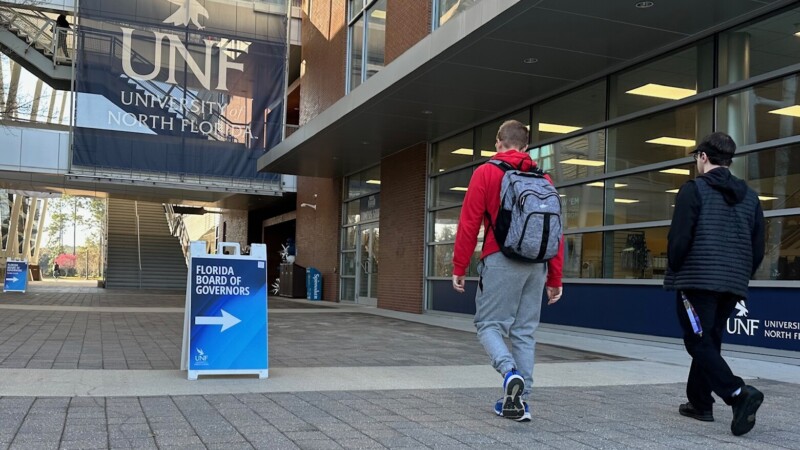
(715, 245)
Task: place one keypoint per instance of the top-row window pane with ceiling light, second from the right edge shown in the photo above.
(673, 77)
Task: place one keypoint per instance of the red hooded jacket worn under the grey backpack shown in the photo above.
(483, 194)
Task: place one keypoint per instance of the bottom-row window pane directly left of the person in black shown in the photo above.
(636, 253)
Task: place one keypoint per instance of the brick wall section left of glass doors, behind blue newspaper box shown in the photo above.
(317, 231)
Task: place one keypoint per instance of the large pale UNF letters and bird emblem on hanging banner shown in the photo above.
(189, 12)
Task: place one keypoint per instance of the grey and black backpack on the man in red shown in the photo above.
(528, 225)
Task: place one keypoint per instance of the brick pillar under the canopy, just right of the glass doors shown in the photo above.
(402, 228)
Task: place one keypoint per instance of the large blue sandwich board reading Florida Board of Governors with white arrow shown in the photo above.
(225, 319)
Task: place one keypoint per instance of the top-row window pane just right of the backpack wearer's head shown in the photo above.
(569, 112)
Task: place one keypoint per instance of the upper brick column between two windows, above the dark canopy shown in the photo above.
(407, 22)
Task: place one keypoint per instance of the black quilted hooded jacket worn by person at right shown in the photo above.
(712, 266)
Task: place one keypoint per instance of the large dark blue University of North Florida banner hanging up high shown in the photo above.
(179, 86)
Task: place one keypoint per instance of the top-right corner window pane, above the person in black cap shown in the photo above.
(759, 47)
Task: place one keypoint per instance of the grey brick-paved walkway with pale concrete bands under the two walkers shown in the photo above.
(82, 367)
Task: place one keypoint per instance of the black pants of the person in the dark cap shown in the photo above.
(709, 372)
